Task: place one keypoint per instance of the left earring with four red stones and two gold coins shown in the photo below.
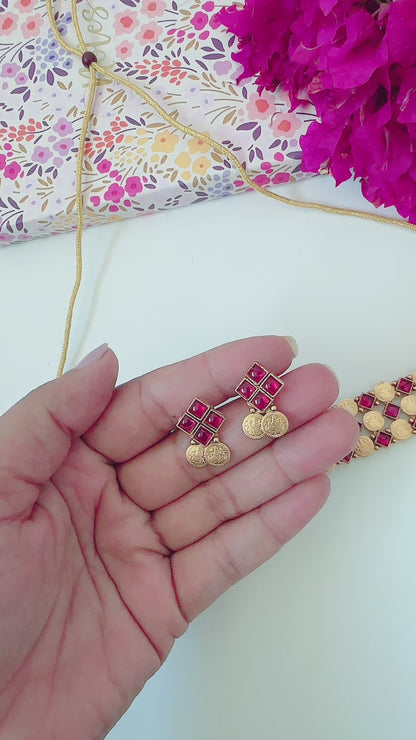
(202, 423)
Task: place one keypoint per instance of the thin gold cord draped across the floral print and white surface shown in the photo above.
(189, 131)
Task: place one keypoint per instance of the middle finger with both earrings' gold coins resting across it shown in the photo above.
(308, 391)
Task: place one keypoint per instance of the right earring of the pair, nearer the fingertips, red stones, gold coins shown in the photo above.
(259, 388)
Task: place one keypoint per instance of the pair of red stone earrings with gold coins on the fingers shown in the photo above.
(202, 421)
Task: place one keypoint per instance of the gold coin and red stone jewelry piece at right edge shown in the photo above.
(378, 408)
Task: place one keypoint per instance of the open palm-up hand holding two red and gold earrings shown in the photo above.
(110, 543)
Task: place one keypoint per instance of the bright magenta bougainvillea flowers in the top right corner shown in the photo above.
(355, 61)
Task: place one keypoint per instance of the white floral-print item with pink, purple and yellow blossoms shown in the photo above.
(134, 161)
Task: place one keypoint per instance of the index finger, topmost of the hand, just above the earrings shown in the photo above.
(146, 409)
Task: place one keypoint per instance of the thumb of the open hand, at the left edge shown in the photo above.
(36, 433)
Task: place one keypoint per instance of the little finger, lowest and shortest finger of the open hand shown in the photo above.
(204, 570)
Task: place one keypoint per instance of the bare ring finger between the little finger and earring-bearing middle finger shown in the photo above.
(301, 455)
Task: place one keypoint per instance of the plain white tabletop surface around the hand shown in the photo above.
(319, 643)
